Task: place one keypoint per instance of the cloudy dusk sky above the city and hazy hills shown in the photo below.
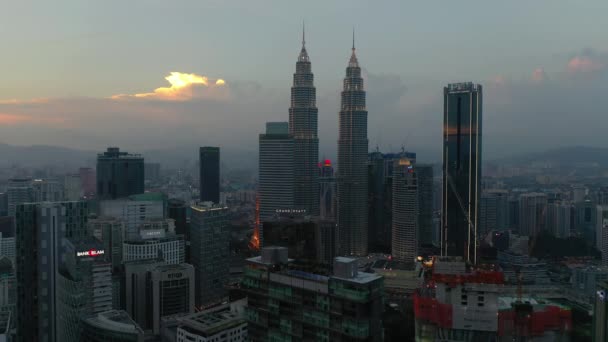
(165, 74)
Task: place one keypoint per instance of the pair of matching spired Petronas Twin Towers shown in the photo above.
(352, 151)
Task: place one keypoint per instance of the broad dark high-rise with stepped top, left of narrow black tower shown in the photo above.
(119, 174)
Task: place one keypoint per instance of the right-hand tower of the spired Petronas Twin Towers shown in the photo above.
(352, 163)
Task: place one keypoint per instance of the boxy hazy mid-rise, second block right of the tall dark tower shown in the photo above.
(532, 213)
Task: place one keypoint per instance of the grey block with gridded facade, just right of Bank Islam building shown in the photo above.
(154, 290)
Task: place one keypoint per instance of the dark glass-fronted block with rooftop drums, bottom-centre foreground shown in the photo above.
(286, 303)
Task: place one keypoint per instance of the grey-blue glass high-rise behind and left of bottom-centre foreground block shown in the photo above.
(210, 252)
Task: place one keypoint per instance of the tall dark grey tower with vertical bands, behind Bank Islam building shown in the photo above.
(40, 230)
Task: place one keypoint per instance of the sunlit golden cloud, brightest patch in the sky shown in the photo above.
(183, 87)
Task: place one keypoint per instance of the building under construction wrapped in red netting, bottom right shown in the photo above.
(458, 303)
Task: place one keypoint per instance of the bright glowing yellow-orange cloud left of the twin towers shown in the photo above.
(181, 88)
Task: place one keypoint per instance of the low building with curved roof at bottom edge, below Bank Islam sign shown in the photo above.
(113, 325)
